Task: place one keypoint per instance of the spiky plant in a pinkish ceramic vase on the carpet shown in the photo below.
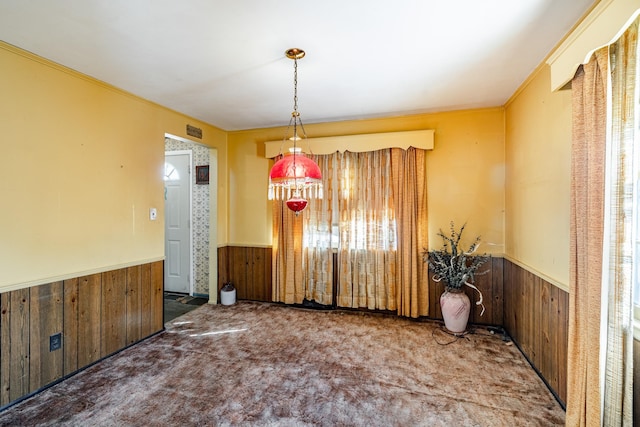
(456, 268)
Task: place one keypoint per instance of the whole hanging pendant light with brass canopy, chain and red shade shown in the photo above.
(295, 177)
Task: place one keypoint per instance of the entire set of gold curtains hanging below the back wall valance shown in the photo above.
(379, 236)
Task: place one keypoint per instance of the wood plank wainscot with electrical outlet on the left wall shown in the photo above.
(96, 316)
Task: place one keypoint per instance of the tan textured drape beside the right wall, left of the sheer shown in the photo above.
(586, 239)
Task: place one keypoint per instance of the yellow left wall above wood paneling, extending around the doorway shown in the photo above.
(82, 163)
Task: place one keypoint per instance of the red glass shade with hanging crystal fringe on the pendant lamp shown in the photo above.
(294, 178)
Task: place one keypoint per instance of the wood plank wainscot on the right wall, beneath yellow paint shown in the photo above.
(536, 315)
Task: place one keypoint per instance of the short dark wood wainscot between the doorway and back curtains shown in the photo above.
(248, 268)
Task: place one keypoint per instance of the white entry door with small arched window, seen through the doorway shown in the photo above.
(177, 208)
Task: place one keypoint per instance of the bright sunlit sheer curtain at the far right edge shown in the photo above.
(620, 217)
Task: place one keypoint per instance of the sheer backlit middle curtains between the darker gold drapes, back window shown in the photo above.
(356, 218)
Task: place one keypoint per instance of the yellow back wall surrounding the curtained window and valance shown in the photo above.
(465, 173)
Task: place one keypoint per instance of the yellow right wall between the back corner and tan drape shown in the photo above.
(538, 156)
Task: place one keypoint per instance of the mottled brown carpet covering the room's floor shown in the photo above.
(266, 364)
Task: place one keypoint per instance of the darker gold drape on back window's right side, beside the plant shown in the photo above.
(408, 168)
